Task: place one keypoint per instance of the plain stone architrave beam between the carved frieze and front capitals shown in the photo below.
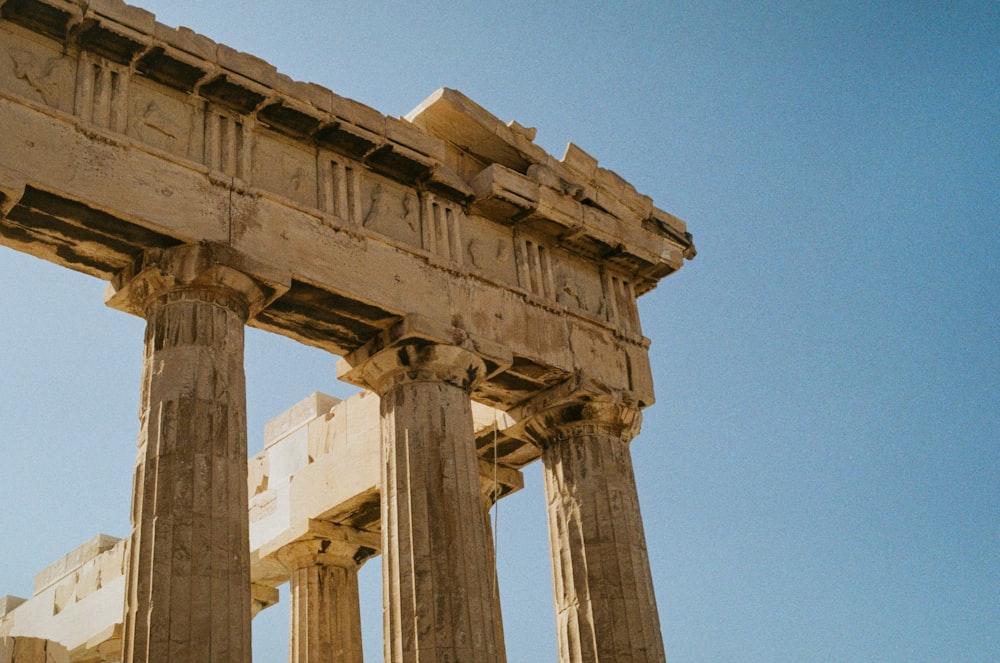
(96, 219)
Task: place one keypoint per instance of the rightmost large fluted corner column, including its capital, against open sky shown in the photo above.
(605, 605)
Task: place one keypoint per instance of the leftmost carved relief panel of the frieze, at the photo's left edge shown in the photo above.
(36, 71)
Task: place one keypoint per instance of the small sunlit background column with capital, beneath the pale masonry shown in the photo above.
(325, 607)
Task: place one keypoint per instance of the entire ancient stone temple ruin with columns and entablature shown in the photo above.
(480, 291)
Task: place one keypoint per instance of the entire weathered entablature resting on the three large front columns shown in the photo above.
(167, 138)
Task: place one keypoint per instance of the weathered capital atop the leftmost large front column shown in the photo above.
(216, 271)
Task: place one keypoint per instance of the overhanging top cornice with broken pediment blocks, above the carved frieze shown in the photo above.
(584, 208)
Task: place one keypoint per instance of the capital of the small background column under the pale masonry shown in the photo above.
(331, 545)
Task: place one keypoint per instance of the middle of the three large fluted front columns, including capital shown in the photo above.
(438, 597)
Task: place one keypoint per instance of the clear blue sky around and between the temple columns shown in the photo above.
(820, 477)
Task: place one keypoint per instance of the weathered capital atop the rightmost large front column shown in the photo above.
(580, 406)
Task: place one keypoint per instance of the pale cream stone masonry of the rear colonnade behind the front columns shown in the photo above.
(299, 490)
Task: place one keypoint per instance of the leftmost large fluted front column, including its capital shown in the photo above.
(188, 577)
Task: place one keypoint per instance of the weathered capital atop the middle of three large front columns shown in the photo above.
(417, 349)
